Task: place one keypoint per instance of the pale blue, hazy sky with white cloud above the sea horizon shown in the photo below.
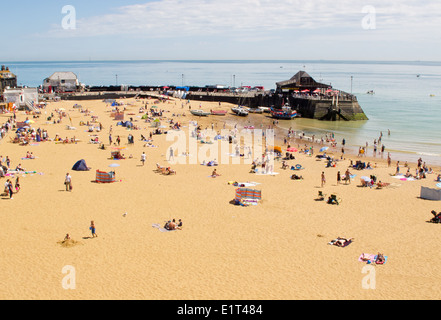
(54, 30)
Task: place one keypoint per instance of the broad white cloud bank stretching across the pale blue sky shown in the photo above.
(180, 18)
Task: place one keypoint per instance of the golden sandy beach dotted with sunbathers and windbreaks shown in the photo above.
(277, 249)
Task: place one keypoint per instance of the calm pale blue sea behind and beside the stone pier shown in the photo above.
(406, 99)
